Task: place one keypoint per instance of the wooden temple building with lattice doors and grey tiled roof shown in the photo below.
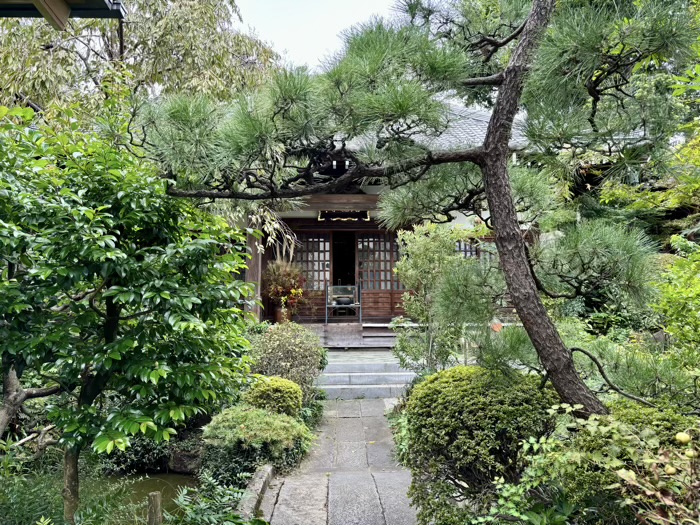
(348, 258)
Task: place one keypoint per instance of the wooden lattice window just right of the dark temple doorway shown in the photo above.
(377, 253)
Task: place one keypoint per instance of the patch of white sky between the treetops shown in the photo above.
(306, 31)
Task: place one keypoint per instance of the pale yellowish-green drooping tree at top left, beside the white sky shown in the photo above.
(169, 46)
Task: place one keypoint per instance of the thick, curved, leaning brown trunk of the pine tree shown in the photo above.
(555, 357)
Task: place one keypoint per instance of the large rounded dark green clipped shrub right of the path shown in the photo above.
(465, 426)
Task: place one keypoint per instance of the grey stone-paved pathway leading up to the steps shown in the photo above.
(350, 477)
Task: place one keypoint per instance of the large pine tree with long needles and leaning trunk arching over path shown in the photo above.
(594, 77)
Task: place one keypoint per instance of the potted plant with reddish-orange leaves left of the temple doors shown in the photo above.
(283, 283)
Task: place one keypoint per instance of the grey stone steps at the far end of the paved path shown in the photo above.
(371, 379)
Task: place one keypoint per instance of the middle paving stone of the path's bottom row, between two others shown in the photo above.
(353, 500)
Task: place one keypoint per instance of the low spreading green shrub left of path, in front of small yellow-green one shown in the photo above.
(241, 438)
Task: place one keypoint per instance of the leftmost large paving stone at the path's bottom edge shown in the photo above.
(302, 501)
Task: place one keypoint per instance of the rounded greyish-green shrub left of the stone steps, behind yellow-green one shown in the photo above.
(290, 351)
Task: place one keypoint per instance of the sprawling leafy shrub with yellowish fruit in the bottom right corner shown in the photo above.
(583, 465)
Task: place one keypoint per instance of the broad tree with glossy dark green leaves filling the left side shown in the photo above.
(121, 299)
